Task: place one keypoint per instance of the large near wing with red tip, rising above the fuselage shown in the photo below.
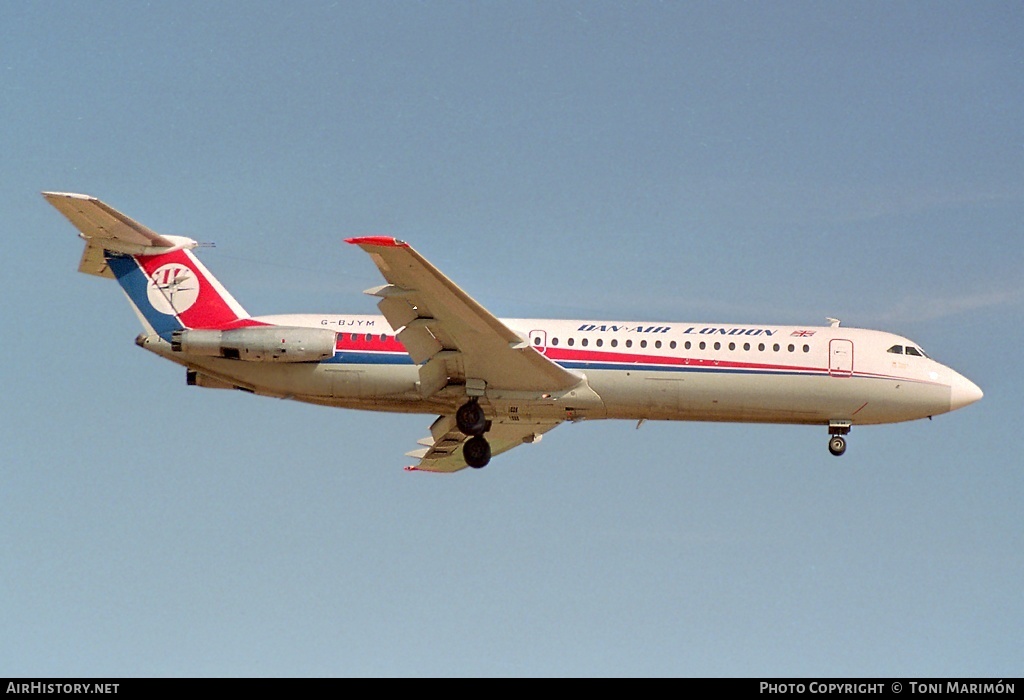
(455, 339)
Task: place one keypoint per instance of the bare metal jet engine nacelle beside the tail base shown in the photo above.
(273, 344)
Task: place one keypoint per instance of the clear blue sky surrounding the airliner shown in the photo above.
(704, 162)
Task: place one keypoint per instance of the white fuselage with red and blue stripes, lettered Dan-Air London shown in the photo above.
(656, 371)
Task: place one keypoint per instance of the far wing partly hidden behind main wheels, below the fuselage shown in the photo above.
(444, 449)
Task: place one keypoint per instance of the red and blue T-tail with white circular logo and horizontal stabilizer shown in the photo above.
(168, 287)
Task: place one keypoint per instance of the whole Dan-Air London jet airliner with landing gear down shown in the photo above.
(496, 384)
